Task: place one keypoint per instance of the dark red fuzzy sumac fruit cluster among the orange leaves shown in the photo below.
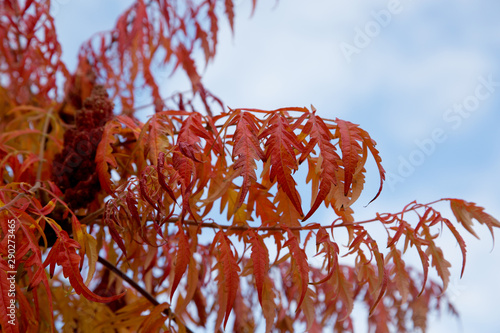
(73, 169)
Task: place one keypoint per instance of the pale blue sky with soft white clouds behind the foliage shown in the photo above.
(402, 86)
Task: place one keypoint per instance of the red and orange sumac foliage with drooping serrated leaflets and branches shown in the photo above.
(192, 219)
